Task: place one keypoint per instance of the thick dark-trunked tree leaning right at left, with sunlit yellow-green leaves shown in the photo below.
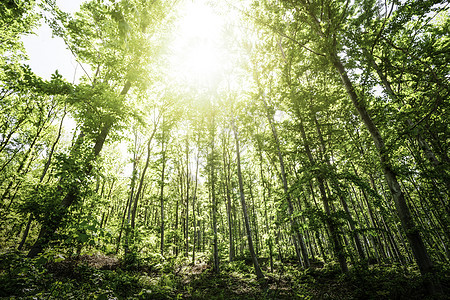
(101, 102)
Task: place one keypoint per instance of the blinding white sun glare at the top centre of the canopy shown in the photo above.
(196, 53)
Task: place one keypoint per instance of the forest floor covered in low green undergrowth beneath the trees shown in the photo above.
(104, 277)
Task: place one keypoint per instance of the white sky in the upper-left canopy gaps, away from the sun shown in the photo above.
(47, 54)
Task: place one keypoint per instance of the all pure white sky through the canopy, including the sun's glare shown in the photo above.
(196, 52)
